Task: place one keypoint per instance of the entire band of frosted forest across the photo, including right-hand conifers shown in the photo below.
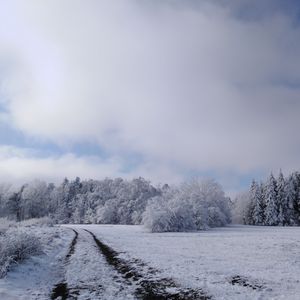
(193, 205)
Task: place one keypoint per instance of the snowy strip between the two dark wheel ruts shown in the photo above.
(88, 275)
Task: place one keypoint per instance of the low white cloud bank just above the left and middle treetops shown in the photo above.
(23, 164)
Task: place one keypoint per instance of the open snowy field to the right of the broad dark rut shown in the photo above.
(266, 258)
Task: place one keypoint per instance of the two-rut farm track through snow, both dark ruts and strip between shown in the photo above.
(93, 270)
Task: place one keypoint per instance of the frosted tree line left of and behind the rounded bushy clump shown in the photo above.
(115, 201)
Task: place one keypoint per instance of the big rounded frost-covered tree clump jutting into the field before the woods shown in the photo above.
(195, 205)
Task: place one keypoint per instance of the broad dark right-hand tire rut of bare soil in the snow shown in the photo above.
(147, 288)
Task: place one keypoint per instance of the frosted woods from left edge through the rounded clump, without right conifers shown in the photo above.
(194, 205)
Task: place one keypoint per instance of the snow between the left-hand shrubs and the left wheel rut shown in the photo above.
(35, 277)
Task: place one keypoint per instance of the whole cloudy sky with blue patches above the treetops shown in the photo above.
(166, 90)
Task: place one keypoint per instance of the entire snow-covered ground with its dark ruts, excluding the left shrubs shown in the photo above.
(126, 262)
